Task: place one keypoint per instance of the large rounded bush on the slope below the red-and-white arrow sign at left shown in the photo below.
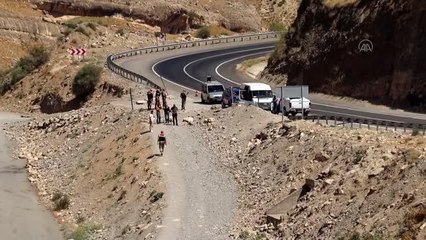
(86, 80)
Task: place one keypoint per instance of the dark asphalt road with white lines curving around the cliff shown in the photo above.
(190, 70)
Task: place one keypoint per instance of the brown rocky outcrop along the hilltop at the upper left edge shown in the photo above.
(171, 19)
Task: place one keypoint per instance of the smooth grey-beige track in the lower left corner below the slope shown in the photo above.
(21, 215)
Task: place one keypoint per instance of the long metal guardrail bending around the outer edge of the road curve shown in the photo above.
(155, 49)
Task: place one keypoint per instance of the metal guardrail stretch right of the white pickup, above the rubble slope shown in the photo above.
(369, 123)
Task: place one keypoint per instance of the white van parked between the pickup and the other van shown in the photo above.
(258, 94)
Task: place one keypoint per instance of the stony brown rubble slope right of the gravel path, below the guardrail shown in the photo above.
(363, 182)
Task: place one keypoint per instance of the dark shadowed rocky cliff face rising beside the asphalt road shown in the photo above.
(323, 50)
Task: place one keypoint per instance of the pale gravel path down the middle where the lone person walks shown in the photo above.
(201, 197)
